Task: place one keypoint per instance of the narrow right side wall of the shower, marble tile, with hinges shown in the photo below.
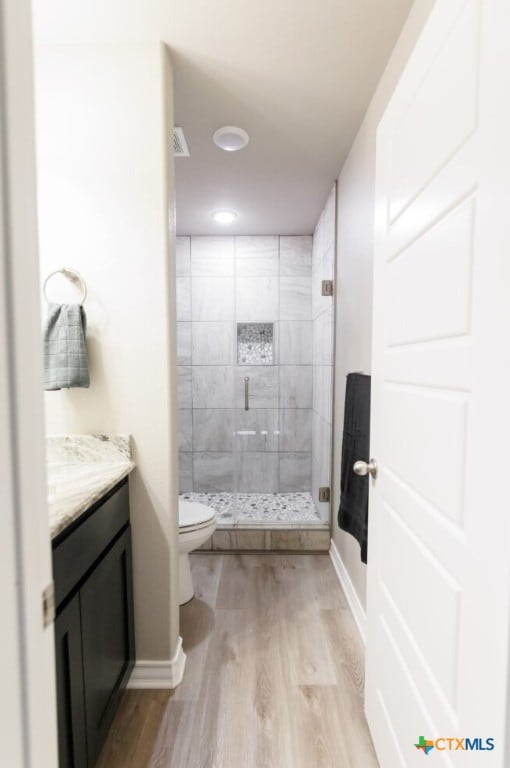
(323, 268)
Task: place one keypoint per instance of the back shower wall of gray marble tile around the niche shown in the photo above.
(223, 281)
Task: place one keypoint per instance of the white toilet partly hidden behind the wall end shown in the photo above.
(197, 523)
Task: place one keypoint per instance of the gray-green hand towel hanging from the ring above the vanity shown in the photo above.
(65, 351)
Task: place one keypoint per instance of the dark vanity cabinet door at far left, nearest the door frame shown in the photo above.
(72, 748)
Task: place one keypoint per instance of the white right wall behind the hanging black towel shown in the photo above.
(355, 236)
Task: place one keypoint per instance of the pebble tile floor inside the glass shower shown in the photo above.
(259, 507)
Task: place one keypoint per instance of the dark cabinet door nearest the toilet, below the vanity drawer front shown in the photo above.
(106, 600)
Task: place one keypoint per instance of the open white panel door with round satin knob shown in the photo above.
(439, 538)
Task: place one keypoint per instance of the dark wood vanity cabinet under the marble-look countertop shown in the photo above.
(94, 635)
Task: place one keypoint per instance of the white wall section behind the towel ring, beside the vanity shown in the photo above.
(104, 120)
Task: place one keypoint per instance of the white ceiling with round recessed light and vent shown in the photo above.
(296, 74)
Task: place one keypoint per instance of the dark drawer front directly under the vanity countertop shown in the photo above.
(74, 555)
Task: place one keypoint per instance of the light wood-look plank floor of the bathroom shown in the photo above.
(273, 679)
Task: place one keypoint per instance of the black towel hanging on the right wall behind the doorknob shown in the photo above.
(353, 511)
